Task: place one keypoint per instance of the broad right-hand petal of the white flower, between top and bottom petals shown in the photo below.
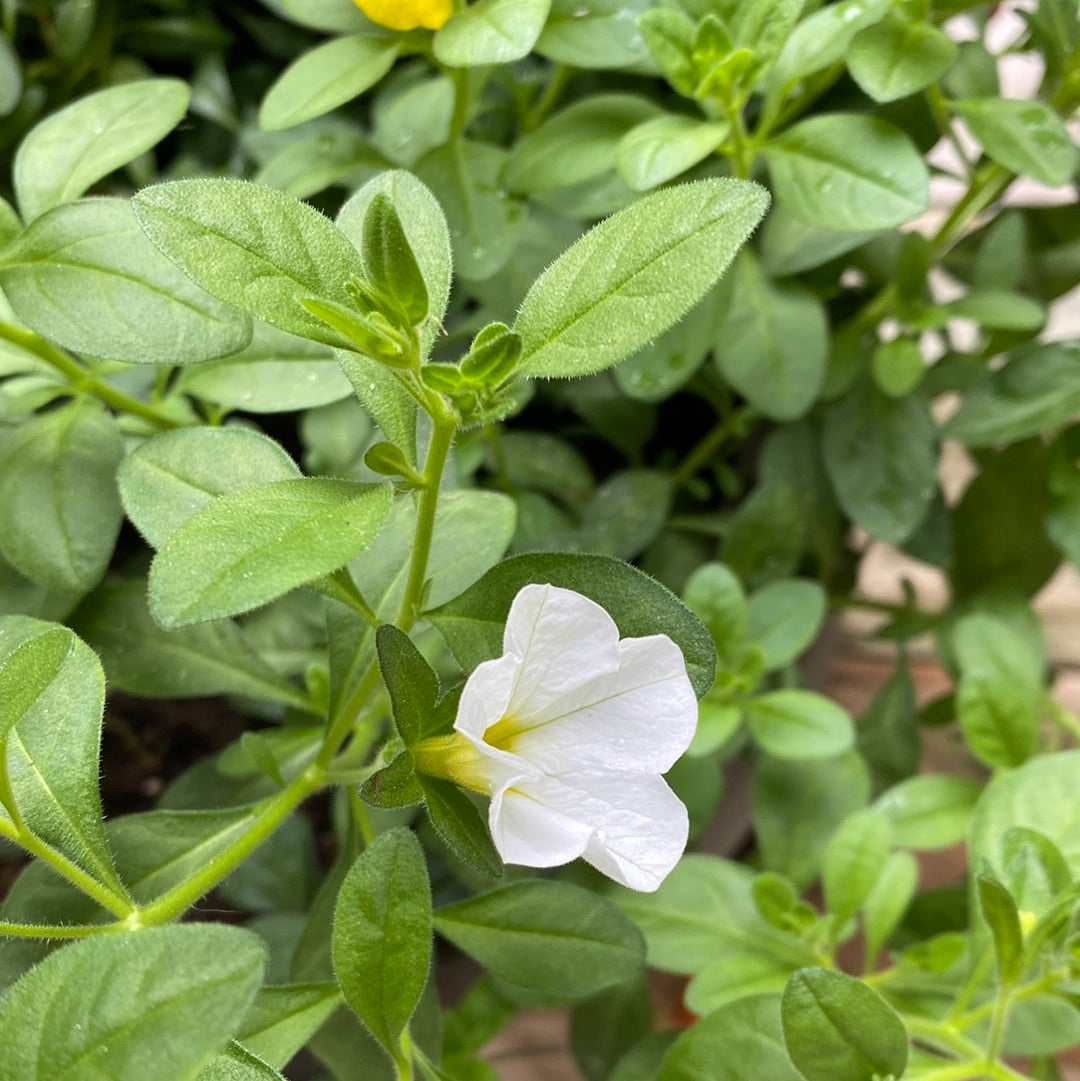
(638, 719)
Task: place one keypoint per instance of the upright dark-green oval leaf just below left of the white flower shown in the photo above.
(382, 942)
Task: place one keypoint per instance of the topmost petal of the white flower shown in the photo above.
(562, 639)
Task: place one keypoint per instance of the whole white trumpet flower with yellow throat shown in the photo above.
(569, 733)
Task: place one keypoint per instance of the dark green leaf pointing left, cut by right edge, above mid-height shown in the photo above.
(1037, 390)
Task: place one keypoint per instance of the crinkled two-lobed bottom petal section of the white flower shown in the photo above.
(632, 829)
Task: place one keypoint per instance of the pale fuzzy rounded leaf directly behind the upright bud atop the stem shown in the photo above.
(426, 231)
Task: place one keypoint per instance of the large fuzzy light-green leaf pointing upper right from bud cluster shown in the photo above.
(647, 266)
